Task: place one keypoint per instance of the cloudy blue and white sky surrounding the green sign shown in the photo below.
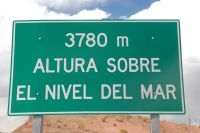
(185, 11)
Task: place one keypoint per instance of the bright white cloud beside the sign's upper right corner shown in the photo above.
(187, 12)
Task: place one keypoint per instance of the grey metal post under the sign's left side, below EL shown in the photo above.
(37, 124)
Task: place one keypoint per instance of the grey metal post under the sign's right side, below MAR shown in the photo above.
(155, 123)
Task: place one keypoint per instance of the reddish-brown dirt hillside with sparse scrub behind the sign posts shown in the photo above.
(103, 124)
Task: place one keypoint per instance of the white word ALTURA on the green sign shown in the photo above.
(67, 65)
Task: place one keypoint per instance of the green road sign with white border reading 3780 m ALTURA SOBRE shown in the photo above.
(76, 67)
